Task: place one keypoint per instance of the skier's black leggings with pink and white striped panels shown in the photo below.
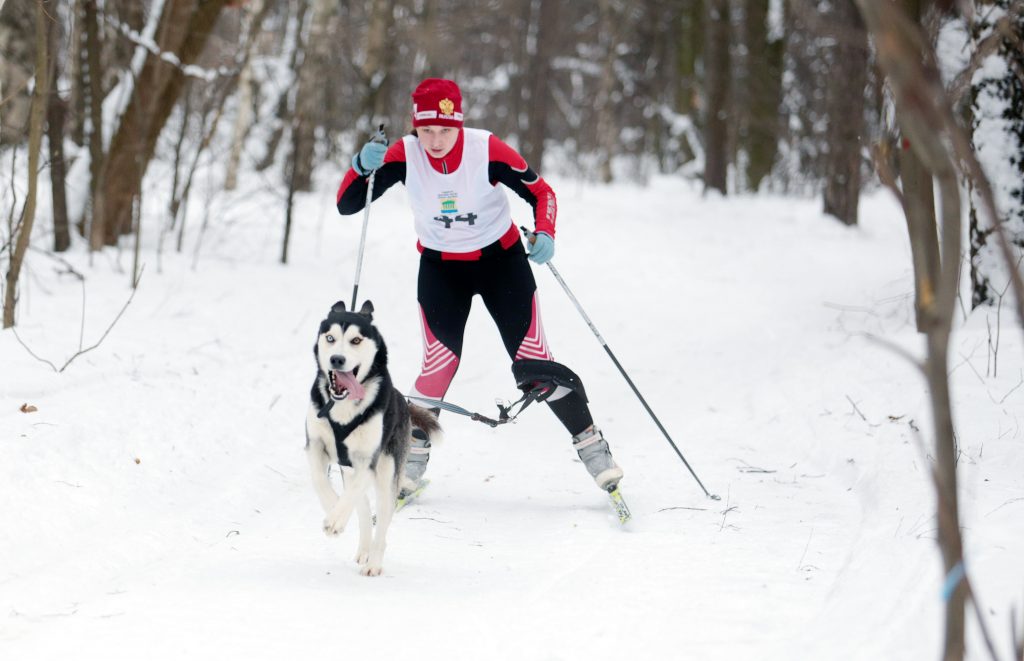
(506, 285)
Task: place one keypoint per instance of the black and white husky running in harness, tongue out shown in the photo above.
(359, 420)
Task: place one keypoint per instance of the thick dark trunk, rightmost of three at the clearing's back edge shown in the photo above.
(846, 114)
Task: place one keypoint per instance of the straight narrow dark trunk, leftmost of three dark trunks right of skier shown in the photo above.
(717, 82)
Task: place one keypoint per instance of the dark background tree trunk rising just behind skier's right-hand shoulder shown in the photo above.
(538, 79)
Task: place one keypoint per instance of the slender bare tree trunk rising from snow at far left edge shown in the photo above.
(39, 102)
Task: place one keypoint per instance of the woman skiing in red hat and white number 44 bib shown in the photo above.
(470, 246)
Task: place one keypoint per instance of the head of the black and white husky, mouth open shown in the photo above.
(348, 349)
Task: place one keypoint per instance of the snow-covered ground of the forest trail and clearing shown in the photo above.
(157, 504)
